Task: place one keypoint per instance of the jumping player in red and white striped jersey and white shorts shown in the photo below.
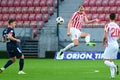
(74, 29)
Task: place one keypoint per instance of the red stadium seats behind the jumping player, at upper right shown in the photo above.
(103, 8)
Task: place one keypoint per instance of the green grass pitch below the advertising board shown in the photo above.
(50, 69)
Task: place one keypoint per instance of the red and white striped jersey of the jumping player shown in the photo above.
(78, 20)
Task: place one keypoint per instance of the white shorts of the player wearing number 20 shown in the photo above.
(111, 51)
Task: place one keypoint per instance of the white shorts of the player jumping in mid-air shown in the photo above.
(75, 33)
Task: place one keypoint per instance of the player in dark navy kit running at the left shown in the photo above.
(13, 50)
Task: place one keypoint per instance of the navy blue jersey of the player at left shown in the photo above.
(7, 31)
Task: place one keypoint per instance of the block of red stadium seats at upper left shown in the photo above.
(26, 11)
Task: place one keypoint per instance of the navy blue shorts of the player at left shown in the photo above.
(13, 50)
